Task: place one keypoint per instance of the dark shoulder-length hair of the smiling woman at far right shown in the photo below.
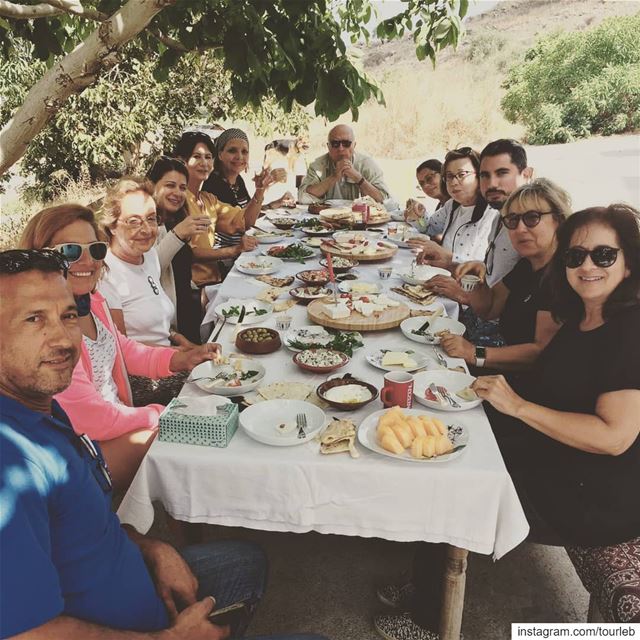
(566, 304)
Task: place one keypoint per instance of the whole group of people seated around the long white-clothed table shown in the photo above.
(100, 326)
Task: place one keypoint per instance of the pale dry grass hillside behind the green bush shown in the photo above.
(431, 110)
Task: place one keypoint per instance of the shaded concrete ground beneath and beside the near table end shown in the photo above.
(326, 584)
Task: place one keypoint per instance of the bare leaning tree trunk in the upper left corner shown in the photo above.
(73, 73)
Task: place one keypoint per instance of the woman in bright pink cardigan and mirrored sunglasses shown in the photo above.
(98, 401)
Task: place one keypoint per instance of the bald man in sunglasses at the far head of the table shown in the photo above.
(341, 173)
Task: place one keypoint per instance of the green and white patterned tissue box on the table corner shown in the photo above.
(188, 421)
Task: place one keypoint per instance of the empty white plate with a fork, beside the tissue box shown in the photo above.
(259, 421)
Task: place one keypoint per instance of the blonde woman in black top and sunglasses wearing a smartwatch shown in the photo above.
(532, 215)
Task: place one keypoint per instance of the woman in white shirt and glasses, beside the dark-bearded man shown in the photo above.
(465, 221)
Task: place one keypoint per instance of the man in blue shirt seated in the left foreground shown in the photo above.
(68, 569)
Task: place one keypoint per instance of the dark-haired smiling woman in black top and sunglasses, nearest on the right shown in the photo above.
(569, 431)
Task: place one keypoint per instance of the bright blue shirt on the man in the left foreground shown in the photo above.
(63, 551)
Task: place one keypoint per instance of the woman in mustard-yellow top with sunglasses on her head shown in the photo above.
(211, 260)
